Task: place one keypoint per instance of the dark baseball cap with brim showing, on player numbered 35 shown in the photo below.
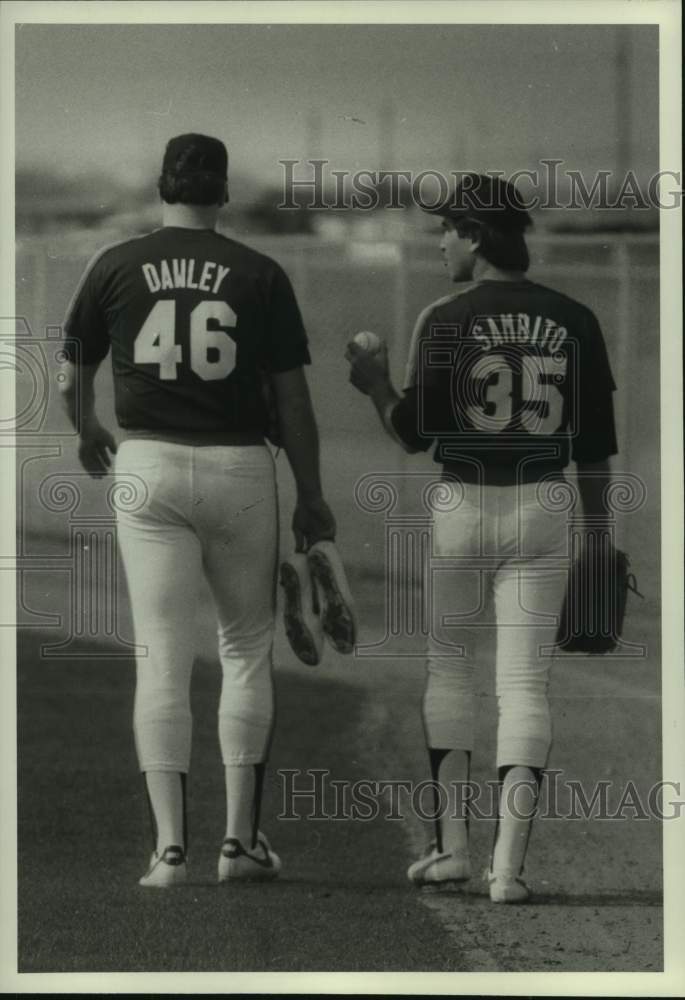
(484, 199)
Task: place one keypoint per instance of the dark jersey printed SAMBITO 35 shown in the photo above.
(509, 380)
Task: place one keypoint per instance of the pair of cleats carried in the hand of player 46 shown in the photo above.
(318, 603)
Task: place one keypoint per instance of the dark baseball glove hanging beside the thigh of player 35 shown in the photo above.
(594, 608)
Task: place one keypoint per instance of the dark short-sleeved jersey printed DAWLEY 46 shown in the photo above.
(194, 320)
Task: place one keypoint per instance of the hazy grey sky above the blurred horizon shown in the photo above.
(107, 97)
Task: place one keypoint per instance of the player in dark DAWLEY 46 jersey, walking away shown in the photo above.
(195, 322)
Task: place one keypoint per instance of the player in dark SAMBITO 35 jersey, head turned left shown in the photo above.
(508, 381)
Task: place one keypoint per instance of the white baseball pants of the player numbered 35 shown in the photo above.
(507, 543)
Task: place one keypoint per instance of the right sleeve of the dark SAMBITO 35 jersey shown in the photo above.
(594, 425)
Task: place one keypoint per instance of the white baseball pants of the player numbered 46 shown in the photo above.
(208, 510)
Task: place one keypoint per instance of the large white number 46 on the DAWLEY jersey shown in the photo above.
(212, 350)
